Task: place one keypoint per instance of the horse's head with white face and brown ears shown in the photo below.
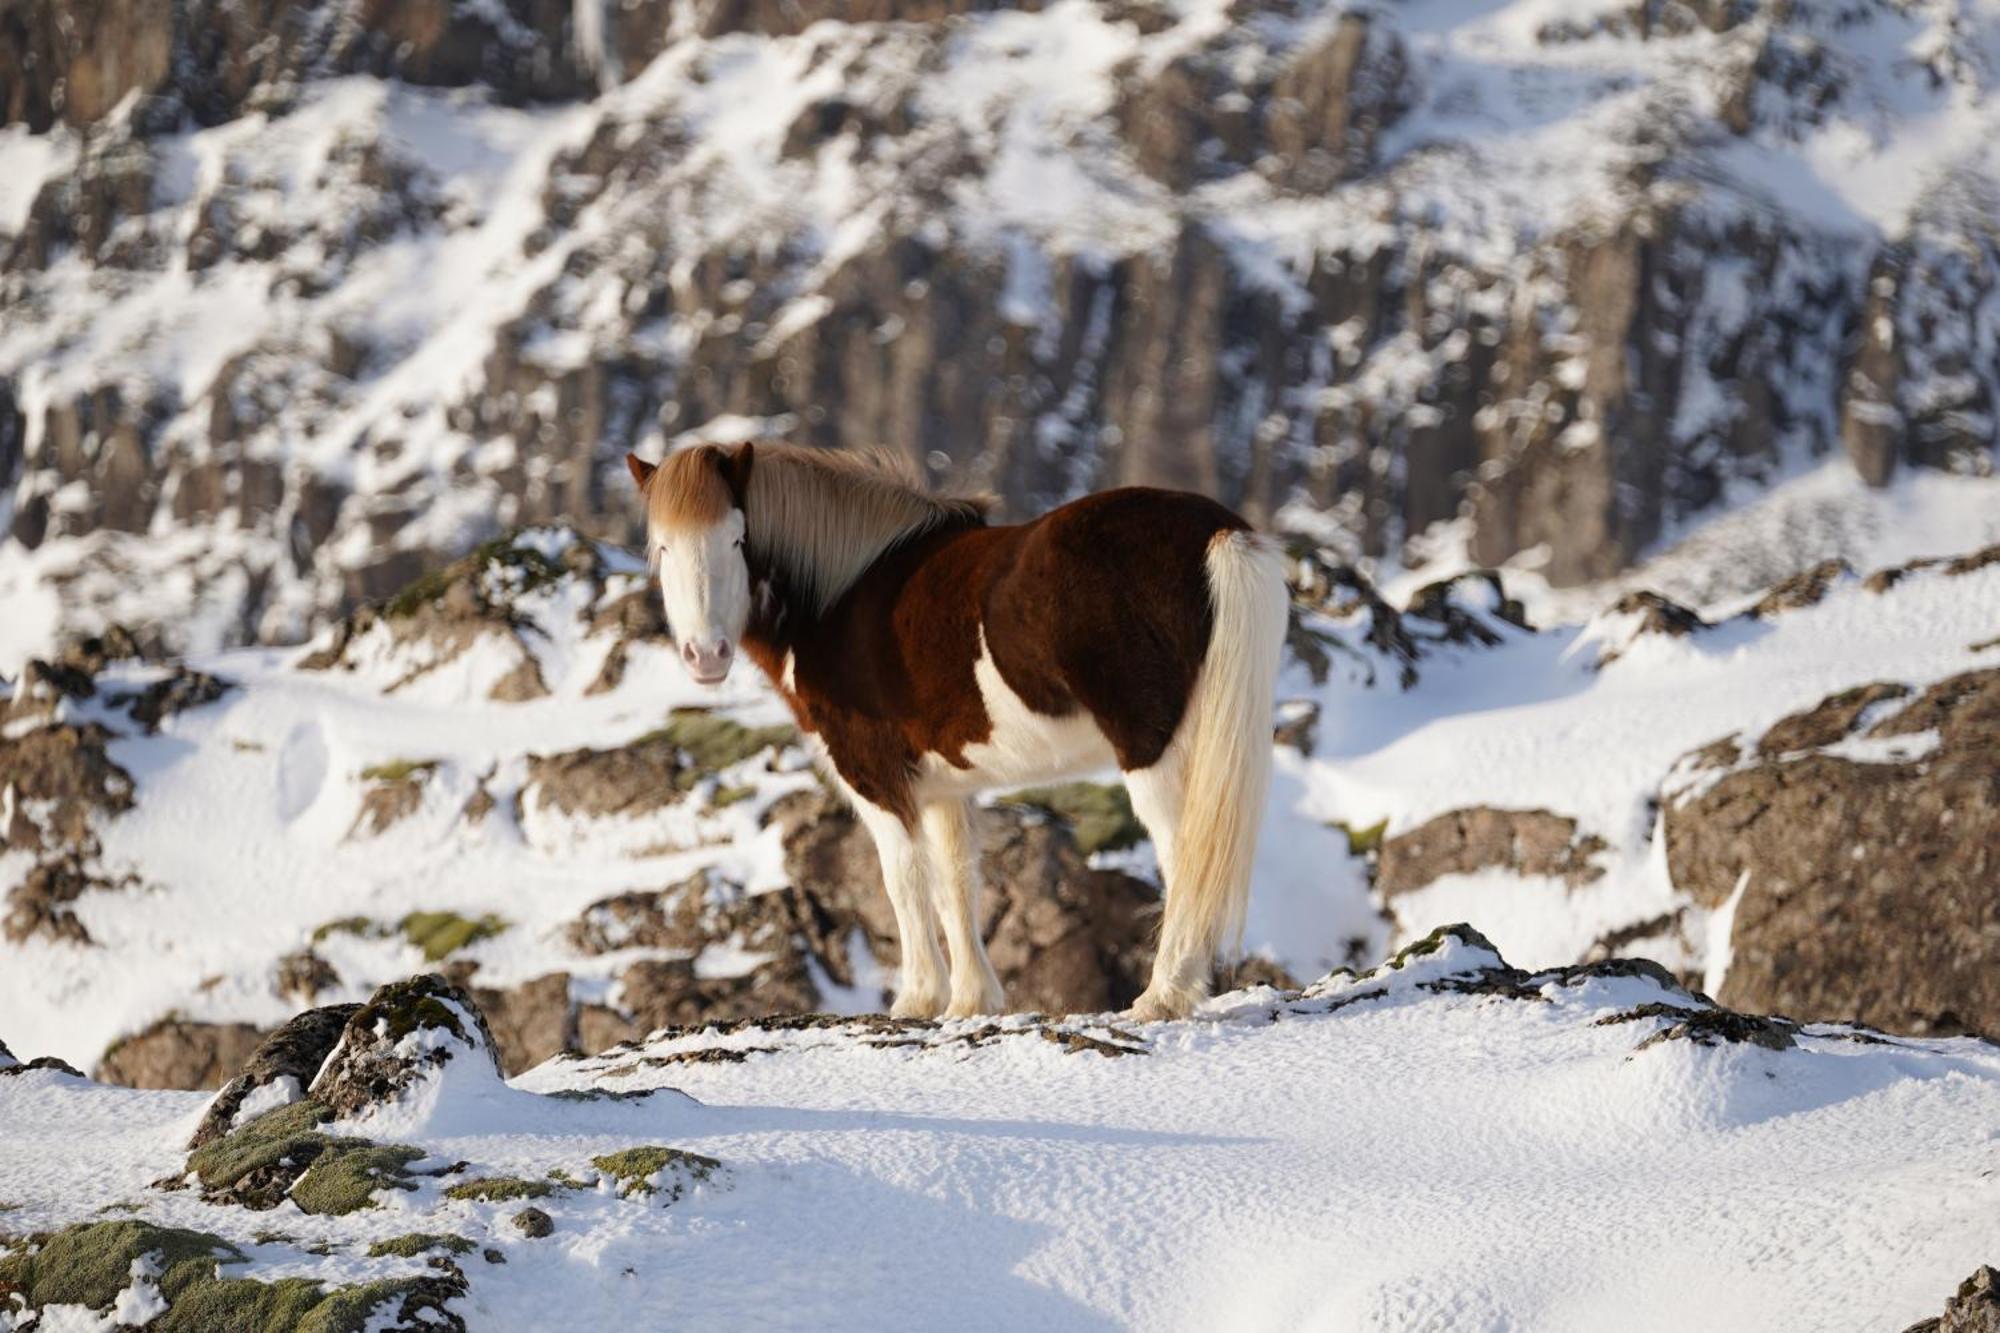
(697, 533)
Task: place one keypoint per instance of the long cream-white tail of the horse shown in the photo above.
(1227, 756)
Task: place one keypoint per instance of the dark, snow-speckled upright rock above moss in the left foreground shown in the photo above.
(401, 1038)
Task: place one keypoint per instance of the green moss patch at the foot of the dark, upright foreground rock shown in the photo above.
(283, 1154)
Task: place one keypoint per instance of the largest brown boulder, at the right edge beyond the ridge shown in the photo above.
(1829, 848)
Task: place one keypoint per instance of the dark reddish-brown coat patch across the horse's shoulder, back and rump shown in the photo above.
(1101, 605)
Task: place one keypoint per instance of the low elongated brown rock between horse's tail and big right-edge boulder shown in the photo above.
(1483, 838)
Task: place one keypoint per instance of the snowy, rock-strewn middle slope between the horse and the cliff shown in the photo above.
(505, 772)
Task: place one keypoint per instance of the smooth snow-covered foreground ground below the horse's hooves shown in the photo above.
(1379, 1154)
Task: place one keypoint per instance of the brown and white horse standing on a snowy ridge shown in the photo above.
(931, 655)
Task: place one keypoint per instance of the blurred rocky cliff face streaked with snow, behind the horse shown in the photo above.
(325, 291)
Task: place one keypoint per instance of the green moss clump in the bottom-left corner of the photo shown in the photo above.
(93, 1264)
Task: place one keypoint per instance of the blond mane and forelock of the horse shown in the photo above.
(819, 517)
